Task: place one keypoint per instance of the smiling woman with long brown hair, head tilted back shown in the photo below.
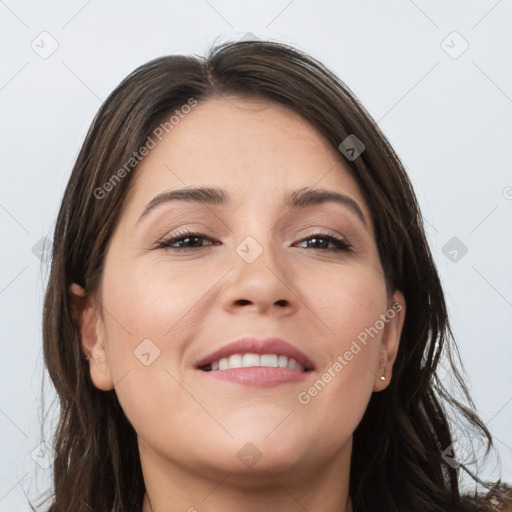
(243, 312)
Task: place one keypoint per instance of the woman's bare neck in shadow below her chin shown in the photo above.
(173, 488)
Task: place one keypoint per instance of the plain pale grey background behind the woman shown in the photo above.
(449, 117)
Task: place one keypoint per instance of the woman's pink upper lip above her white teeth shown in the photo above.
(252, 345)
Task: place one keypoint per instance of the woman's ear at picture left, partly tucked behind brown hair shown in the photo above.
(87, 315)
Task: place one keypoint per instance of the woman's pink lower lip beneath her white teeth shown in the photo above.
(259, 375)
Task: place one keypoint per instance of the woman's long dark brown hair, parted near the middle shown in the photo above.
(397, 463)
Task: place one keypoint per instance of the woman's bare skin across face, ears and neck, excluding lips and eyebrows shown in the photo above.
(190, 426)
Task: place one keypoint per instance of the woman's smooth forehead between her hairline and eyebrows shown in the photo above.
(255, 149)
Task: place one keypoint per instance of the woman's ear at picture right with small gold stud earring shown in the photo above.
(394, 321)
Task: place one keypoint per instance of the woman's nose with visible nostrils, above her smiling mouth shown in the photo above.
(260, 282)
